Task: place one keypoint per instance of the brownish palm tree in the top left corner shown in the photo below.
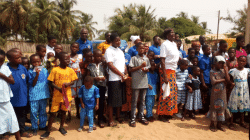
(14, 15)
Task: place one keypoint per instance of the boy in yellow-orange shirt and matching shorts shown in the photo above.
(60, 77)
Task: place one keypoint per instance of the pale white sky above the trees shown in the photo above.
(207, 10)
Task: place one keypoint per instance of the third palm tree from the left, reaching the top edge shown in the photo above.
(68, 19)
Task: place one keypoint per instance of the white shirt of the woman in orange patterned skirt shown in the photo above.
(171, 54)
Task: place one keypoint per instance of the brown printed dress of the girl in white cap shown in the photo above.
(218, 99)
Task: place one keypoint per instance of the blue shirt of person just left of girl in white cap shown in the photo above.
(205, 65)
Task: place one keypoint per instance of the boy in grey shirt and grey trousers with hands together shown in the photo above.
(139, 66)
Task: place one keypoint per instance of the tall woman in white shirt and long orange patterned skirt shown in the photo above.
(169, 58)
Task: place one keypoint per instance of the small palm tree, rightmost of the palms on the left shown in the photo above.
(86, 21)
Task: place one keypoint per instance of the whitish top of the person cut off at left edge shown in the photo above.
(5, 90)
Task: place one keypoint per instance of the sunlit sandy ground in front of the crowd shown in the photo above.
(176, 130)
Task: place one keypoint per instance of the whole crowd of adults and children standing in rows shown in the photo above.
(108, 82)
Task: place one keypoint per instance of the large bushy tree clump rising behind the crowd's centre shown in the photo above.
(134, 19)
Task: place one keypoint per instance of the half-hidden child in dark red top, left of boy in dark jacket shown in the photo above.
(88, 58)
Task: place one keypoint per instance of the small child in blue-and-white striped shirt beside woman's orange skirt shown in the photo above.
(181, 77)
